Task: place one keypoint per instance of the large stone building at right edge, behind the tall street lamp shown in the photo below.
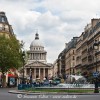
(87, 60)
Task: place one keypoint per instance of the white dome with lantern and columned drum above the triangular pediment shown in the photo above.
(37, 51)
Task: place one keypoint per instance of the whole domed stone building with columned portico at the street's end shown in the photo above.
(37, 66)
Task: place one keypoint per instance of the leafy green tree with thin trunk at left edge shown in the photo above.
(10, 54)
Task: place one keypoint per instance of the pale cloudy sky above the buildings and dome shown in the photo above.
(57, 21)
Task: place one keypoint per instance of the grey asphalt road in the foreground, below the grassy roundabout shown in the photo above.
(4, 95)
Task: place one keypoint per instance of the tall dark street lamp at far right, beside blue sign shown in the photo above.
(96, 90)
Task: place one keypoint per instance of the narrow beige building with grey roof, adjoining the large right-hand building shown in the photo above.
(70, 56)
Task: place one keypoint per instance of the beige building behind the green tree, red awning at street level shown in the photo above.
(7, 31)
